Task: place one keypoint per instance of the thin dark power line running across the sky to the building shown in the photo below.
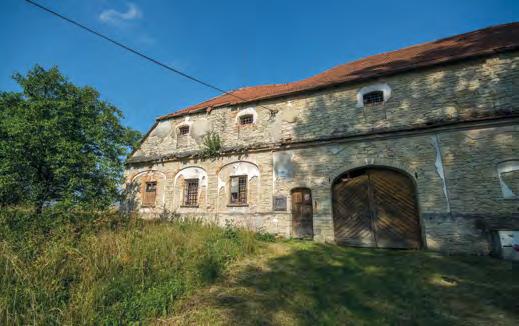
(140, 54)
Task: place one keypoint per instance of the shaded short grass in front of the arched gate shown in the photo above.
(326, 284)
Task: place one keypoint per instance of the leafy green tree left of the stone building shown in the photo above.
(60, 144)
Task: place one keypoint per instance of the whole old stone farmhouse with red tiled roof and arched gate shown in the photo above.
(415, 148)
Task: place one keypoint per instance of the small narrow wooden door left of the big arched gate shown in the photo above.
(302, 214)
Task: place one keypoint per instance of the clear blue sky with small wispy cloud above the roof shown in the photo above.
(227, 43)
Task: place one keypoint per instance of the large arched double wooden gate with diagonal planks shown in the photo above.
(375, 207)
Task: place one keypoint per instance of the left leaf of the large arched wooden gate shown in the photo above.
(353, 221)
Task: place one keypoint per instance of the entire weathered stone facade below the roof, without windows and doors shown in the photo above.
(454, 163)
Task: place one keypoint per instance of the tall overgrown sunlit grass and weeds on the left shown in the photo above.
(104, 268)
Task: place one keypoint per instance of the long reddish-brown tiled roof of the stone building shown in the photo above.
(482, 42)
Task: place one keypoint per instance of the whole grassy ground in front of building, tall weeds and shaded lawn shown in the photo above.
(74, 269)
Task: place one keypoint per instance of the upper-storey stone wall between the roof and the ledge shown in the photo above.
(477, 88)
